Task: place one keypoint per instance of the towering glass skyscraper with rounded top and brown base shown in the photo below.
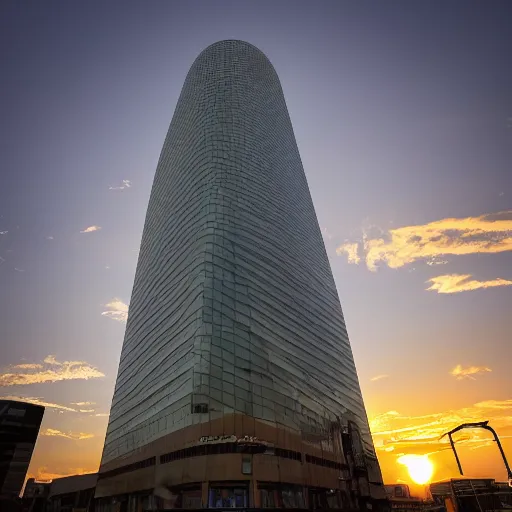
(236, 384)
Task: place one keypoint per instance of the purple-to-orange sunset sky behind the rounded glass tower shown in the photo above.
(402, 112)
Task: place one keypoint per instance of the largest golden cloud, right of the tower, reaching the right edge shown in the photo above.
(487, 234)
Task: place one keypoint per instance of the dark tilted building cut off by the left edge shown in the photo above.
(19, 427)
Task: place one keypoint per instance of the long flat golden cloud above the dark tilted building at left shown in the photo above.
(54, 372)
